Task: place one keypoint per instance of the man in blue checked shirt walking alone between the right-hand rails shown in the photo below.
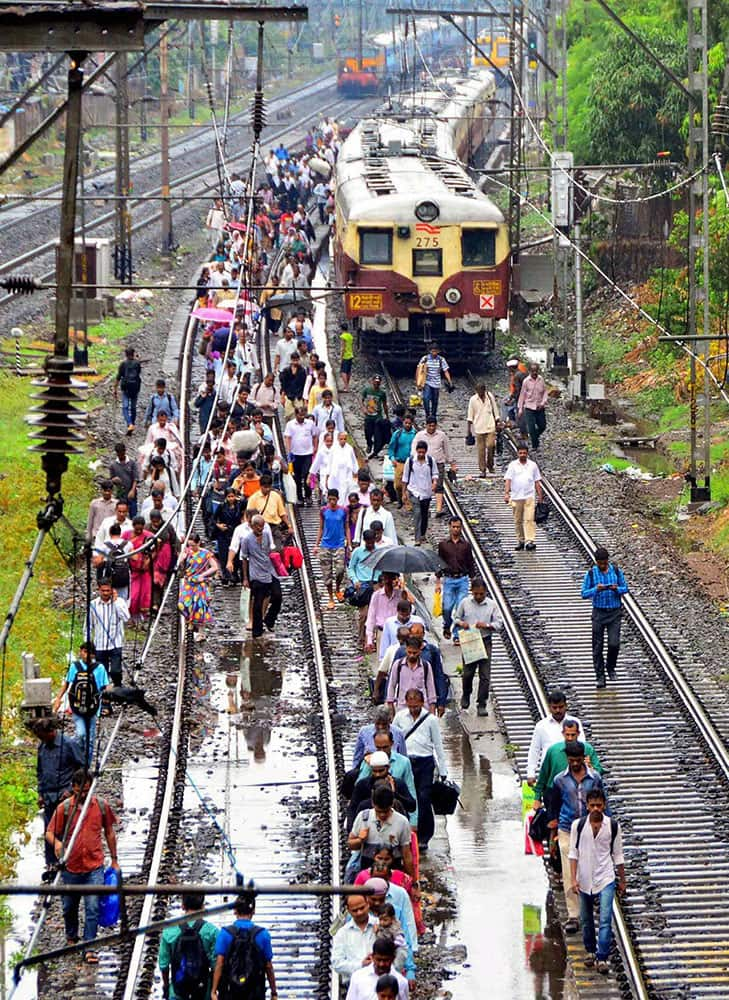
(604, 585)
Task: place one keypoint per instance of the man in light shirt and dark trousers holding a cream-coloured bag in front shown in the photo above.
(478, 618)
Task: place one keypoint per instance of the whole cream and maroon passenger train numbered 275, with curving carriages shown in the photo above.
(423, 253)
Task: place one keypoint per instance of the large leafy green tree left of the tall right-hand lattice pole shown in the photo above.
(632, 111)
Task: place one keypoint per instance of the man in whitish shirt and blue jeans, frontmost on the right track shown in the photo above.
(596, 853)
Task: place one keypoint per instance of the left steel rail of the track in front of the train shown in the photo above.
(536, 690)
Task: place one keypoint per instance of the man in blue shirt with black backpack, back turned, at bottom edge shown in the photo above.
(243, 951)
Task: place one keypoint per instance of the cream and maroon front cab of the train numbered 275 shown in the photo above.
(410, 284)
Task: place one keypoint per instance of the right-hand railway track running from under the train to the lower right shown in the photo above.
(661, 747)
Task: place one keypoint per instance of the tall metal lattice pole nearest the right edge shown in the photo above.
(698, 255)
